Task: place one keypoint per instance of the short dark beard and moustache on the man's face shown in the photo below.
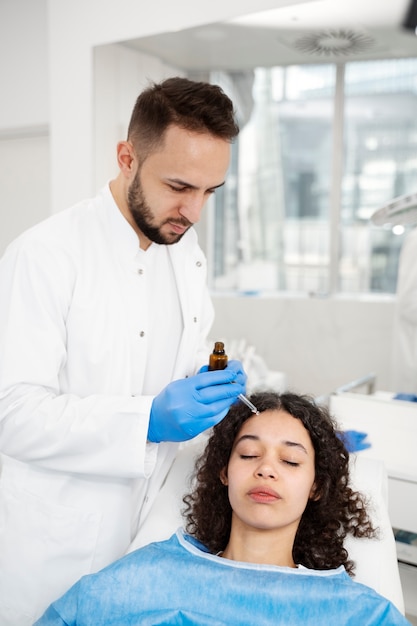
(143, 216)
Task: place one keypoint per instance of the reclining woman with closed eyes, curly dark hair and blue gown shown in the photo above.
(265, 527)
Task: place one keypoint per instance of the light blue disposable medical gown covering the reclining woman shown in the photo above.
(178, 582)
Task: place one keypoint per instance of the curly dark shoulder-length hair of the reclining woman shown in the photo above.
(337, 512)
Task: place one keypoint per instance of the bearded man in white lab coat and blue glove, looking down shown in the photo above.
(104, 316)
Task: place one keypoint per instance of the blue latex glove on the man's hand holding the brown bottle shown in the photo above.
(187, 407)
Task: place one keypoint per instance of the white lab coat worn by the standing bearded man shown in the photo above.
(77, 476)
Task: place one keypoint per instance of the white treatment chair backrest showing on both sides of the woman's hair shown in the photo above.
(376, 559)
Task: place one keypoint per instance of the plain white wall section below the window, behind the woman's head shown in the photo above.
(319, 343)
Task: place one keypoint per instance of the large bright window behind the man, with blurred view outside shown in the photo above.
(323, 147)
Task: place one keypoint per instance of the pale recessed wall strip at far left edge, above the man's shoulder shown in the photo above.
(24, 115)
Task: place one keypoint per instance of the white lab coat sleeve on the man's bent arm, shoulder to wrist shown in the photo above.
(99, 434)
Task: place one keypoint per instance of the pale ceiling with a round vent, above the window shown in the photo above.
(319, 31)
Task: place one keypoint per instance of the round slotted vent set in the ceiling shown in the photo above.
(341, 42)
